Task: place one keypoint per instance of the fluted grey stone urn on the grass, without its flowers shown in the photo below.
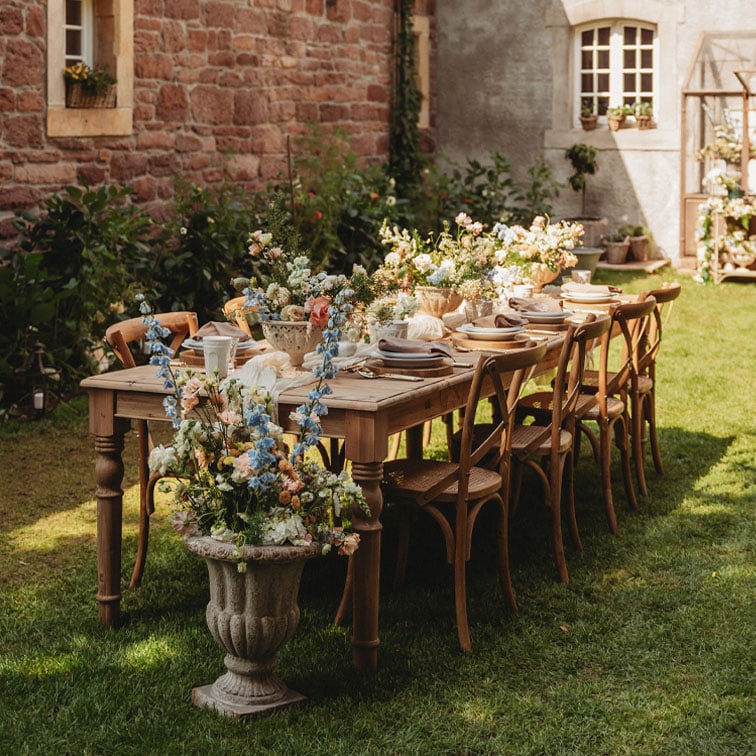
(251, 614)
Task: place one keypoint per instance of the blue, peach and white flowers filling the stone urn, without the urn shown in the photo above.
(238, 482)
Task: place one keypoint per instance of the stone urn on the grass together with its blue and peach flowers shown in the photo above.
(254, 508)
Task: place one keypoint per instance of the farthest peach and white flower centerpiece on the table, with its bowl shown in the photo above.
(540, 251)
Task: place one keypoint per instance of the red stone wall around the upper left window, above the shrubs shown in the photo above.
(211, 77)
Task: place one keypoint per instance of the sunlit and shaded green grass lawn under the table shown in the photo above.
(649, 649)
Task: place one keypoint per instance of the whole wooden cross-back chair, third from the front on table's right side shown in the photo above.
(603, 399)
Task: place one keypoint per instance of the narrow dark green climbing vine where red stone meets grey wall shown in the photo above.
(405, 159)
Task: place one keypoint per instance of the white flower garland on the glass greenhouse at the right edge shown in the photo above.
(736, 213)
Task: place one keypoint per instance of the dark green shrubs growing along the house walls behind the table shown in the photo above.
(98, 248)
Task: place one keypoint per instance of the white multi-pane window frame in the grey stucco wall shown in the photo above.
(617, 95)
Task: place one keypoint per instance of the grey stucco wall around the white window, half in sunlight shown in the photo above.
(504, 84)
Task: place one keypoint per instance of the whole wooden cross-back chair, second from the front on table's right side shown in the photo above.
(546, 445)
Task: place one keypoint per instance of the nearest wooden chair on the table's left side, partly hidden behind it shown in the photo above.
(120, 337)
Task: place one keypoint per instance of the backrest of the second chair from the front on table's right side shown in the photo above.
(568, 380)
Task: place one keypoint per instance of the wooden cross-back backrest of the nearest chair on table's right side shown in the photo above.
(498, 377)
